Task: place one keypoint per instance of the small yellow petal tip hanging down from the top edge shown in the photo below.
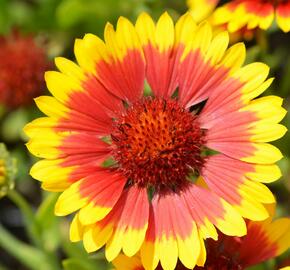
(201, 9)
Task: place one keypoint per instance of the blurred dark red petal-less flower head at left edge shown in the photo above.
(22, 67)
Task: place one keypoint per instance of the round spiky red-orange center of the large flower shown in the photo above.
(157, 143)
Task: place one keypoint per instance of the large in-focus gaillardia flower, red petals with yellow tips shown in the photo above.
(127, 162)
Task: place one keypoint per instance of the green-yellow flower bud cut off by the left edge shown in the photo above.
(7, 171)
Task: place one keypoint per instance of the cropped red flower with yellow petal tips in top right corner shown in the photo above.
(253, 14)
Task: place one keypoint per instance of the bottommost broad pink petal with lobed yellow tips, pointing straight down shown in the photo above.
(172, 234)
